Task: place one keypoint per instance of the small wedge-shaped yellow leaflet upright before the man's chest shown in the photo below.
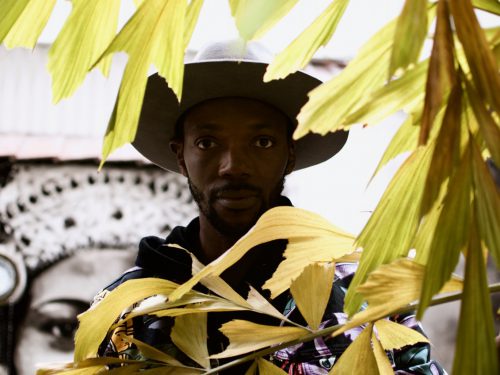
(311, 291)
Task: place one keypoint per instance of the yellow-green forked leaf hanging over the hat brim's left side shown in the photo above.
(151, 36)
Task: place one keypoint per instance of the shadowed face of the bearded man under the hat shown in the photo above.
(235, 153)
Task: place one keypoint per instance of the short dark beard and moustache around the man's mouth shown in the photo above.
(225, 227)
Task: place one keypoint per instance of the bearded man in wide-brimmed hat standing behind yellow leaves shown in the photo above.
(231, 138)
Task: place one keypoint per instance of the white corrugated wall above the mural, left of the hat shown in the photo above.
(26, 99)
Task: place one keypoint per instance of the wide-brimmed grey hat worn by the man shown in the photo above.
(228, 69)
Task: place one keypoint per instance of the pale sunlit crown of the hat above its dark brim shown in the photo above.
(234, 50)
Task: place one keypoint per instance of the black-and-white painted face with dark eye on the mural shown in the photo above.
(58, 295)
